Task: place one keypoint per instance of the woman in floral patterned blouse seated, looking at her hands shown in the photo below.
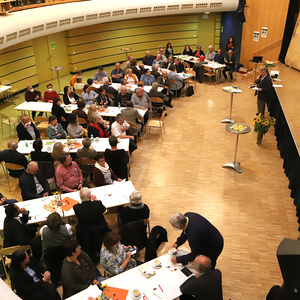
(115, 258)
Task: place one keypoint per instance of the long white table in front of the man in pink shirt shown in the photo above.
(111, 196)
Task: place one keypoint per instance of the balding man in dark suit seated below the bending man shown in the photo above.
(205, 285)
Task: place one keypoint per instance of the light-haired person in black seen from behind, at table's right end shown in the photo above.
(136, 210)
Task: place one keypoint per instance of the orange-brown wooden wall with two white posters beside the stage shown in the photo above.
(265, 13)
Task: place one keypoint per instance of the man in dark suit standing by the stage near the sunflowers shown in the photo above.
(264, 86)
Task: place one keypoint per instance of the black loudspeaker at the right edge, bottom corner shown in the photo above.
(288, 255)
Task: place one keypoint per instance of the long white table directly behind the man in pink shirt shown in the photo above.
(99, 145)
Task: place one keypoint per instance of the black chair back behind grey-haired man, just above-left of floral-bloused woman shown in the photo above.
(90, 240)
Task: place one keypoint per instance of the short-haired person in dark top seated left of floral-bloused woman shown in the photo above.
(78, 271)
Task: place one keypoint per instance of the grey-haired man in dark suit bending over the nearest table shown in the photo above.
(203, 237)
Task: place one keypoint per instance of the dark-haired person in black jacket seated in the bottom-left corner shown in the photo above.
(30, 278)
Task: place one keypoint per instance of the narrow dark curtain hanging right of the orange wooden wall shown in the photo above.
(291, 20)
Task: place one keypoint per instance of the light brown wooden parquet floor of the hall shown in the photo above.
(252, 210)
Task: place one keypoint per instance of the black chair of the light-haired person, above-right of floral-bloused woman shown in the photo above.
(135, 234)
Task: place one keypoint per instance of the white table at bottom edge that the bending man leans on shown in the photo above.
(169, 277)
